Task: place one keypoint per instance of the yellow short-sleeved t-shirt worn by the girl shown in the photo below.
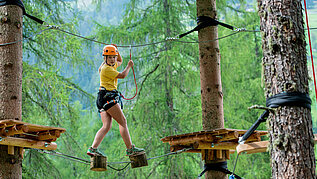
(108, 76)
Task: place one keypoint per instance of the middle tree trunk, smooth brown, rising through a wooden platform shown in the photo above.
(210, 77)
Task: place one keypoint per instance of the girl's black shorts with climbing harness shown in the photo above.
(107, 99)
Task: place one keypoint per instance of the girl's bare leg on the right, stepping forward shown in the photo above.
(118, 115)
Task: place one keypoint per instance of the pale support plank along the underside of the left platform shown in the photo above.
(29, 143)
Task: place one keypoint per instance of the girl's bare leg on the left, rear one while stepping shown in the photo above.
(107, 123)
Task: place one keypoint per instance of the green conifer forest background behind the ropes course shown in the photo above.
(60, 82)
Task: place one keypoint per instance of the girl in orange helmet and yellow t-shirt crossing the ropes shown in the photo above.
(108, 101)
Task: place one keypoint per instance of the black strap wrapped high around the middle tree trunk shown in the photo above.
(203, 22)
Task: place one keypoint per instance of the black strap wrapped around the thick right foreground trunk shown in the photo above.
(282, 99)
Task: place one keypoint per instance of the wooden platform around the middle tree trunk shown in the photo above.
(214, 144)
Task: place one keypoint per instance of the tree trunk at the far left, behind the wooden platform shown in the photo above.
(10, 83)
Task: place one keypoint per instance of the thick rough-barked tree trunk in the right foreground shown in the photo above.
(285, 65)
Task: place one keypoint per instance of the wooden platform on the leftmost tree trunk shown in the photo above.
(22, 134)
